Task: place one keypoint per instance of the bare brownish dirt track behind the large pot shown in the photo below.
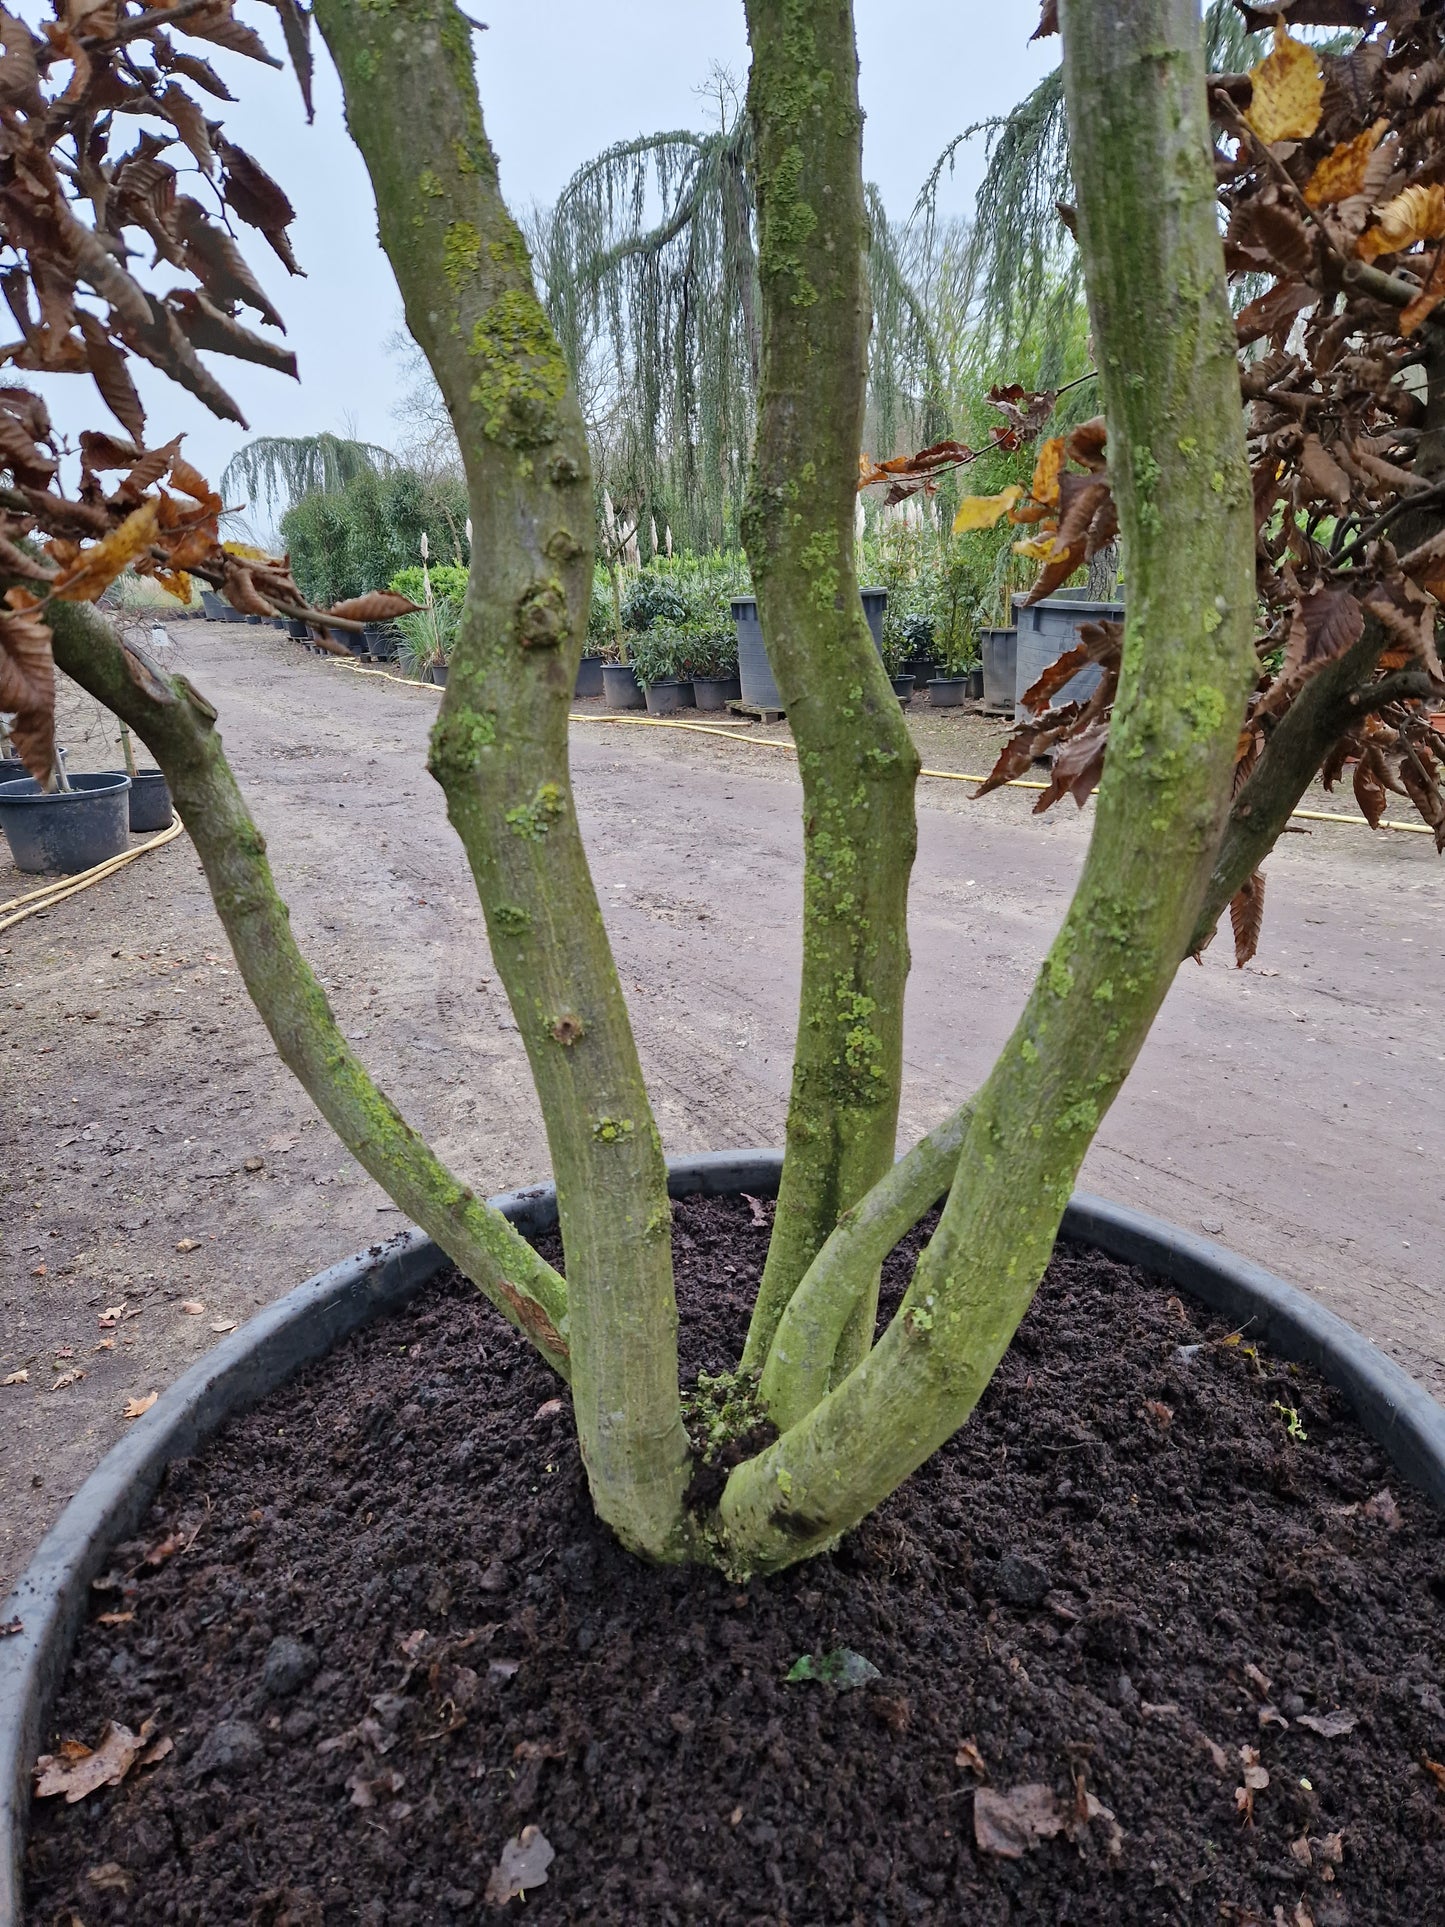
(157, 1155)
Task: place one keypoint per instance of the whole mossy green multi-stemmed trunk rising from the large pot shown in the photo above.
(854, 1419)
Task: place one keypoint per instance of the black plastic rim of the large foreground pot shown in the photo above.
(330, 1306)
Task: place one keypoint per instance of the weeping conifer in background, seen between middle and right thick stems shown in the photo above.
(1022, 267)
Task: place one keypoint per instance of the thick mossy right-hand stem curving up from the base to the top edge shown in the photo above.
(1161, 321)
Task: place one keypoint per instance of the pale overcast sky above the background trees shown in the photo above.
(560, 82)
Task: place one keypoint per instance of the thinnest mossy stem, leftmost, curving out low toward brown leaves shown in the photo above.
(178, 727)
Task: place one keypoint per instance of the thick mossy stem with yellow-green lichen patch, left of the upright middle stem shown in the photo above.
(500, 747)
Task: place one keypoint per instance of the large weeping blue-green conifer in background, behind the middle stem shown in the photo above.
(648, 269)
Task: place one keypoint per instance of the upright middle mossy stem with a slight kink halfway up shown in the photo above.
(856, 758)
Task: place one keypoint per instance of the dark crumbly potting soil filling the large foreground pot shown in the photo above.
(386, 1637)
